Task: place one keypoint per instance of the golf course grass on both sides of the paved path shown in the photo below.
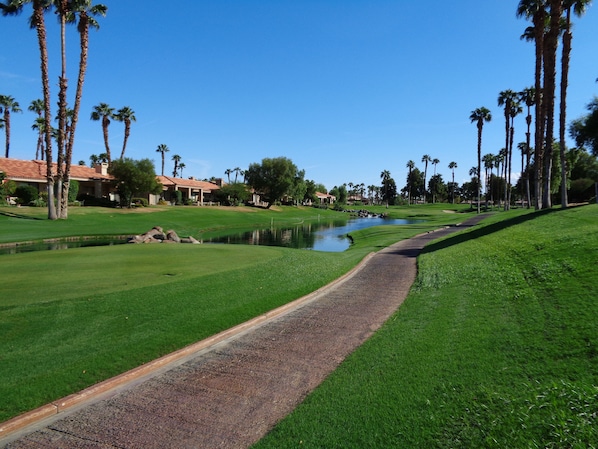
(495, 345)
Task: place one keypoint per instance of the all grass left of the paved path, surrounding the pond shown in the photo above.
(69, 319)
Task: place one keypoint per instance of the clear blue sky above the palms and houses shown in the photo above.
(344, 88)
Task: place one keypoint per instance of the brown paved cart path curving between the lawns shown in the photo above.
(233, 394)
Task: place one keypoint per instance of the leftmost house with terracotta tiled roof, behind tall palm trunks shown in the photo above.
(95, 182)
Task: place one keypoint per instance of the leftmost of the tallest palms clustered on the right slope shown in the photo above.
(535, 10)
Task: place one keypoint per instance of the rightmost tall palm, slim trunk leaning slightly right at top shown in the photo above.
(578, 7)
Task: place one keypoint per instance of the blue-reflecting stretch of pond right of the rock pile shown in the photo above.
(329, 236)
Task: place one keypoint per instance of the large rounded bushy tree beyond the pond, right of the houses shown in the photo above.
(273, 178)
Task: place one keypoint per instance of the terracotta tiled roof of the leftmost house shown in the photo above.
(19, 170)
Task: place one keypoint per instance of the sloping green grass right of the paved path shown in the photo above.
(495, 347)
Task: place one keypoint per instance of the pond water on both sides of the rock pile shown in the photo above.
(329, 236)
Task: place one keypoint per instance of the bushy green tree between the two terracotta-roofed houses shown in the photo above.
(134, 178)
